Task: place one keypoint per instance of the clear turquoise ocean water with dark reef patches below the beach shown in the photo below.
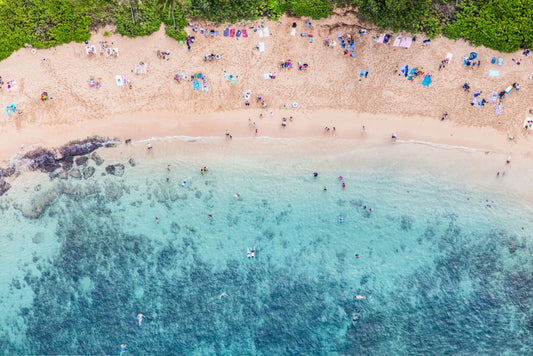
(444, 256)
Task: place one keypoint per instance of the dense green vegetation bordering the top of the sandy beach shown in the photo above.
(502, 25)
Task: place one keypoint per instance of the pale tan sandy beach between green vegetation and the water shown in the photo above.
(329, 93)
